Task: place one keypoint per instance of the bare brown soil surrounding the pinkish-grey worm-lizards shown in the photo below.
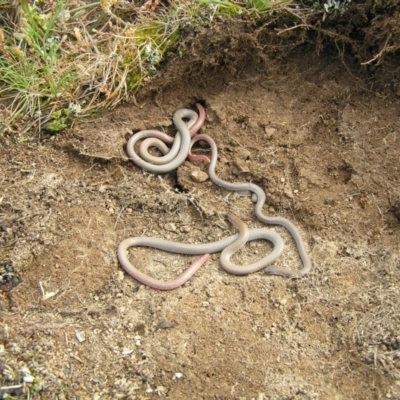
(324, 144)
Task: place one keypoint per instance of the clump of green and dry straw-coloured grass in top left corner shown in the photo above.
(60, 59)
